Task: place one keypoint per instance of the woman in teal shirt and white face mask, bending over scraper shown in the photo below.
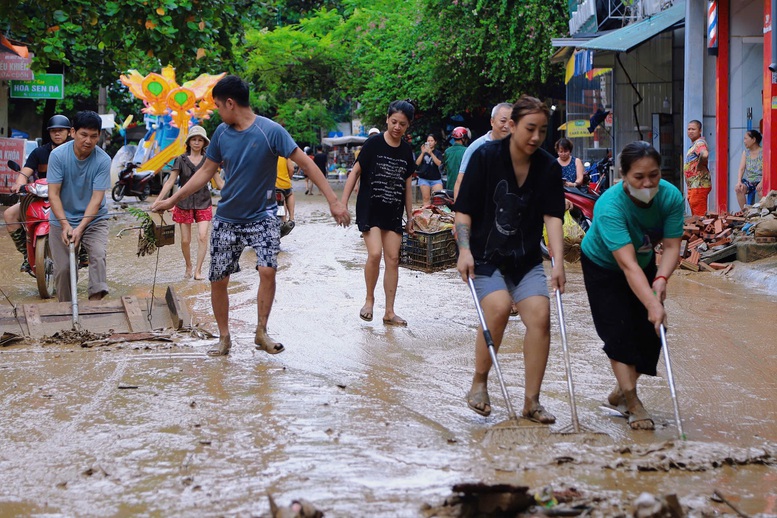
(626, 290)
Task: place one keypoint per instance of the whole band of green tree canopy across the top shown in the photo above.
(311, 63)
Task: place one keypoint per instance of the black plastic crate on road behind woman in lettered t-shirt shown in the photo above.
(429, 251)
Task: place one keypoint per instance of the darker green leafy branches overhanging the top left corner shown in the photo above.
(94, 42)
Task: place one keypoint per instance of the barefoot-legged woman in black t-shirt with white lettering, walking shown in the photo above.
(385, 165)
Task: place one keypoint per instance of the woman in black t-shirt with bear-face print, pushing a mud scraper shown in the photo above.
(511, 187)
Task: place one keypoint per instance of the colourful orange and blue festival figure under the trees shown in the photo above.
(170, 109)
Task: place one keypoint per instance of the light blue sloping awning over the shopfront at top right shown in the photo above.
(625, 39)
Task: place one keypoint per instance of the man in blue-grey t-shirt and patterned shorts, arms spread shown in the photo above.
(247, 147)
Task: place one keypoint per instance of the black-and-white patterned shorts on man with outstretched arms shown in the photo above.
(228, 240)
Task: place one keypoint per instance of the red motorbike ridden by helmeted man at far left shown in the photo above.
(35, 207)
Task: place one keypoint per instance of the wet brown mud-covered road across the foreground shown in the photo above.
(367, 420)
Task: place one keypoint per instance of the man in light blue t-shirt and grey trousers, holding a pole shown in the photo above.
(79, 173)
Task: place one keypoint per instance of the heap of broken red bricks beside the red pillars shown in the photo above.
(708, 239)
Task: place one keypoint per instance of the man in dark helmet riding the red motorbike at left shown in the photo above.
(34, 168)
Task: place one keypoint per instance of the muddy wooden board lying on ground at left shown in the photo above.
(123, 315)
